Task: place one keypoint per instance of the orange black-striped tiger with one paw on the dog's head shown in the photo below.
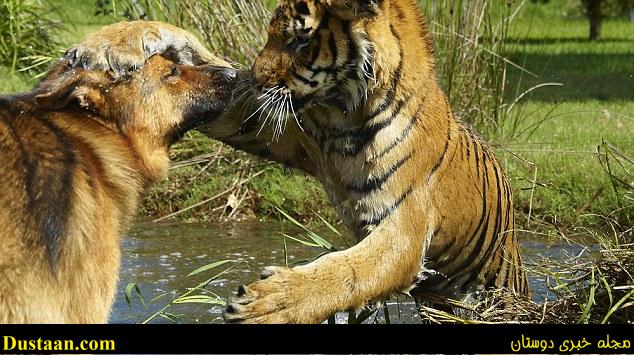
(346, 91)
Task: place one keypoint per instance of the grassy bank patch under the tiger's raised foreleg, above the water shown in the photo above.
(261, 187)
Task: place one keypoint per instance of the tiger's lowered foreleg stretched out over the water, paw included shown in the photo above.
(383, 263)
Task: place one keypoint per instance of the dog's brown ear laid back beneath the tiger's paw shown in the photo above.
(76, 87)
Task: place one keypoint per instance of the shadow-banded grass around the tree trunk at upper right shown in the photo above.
(559, 52)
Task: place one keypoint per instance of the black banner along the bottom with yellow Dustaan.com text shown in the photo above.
(293, 339)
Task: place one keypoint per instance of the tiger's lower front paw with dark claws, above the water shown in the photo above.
(283, 296)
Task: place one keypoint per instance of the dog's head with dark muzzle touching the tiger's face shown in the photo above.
(162, 101)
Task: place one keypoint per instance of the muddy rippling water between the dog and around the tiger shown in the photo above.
(157, 257)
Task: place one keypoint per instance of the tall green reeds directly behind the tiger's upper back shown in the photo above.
(470, 40)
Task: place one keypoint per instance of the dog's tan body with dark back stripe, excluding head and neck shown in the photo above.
(51, 271)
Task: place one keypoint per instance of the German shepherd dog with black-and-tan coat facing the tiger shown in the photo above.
(76, 154)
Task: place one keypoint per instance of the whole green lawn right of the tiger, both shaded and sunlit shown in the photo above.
(595, 103)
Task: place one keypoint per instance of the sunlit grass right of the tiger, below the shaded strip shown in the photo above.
(561, 140)
